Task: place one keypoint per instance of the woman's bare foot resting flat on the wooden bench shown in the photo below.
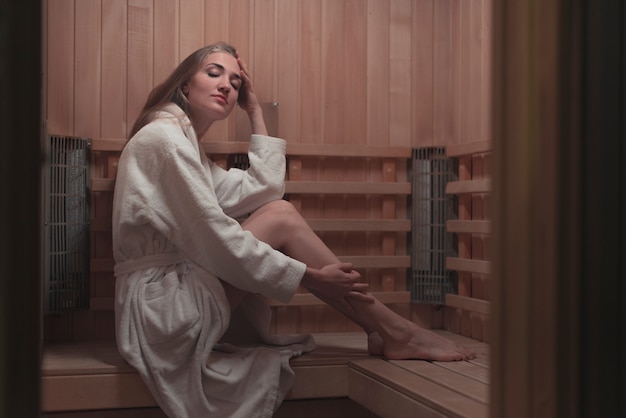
(422, 344)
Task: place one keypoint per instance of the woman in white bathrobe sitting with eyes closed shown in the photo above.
(188, 315)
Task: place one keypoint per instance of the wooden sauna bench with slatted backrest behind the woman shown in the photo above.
(356, 199)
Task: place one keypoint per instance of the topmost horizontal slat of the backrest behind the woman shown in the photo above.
(313, 150)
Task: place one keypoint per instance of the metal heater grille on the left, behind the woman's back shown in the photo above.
(66, 224)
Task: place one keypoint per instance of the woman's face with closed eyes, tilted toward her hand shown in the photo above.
(212, 92)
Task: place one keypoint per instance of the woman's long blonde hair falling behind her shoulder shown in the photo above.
(171, 90)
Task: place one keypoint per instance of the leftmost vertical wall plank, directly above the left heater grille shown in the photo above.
(60, 68)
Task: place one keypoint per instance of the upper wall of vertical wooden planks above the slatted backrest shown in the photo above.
(377, 72)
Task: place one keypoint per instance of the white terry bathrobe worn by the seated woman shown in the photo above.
(174, 234)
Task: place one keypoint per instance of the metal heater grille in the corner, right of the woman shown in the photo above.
(430, 243)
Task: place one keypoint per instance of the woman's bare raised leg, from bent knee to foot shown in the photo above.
(281, 226)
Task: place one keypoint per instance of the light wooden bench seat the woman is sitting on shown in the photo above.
(92, 376)
